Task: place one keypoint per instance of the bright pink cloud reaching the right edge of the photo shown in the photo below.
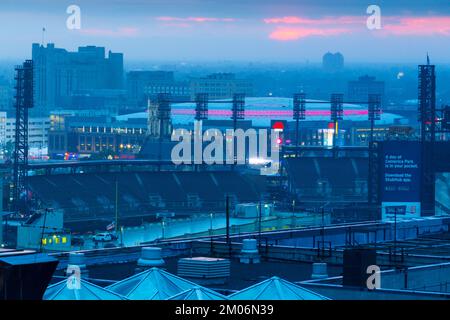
(434, 25)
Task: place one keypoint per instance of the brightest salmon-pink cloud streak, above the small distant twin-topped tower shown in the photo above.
(296, 33)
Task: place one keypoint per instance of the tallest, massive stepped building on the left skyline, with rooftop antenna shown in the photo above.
(59, 74)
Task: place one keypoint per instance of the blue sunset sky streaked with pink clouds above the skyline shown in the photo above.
(263, 30)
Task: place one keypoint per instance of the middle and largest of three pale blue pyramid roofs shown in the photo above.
(152, 284)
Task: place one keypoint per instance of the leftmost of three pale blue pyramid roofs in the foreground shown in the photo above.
(87, 291)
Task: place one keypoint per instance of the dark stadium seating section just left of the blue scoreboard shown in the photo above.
(328, 179)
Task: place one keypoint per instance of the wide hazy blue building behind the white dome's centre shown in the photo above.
(220, 86)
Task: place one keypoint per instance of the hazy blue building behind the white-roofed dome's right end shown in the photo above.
(359, 90)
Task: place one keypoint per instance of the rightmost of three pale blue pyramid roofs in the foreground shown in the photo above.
(276, 289)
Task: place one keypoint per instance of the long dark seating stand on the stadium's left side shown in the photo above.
(92, 196)
